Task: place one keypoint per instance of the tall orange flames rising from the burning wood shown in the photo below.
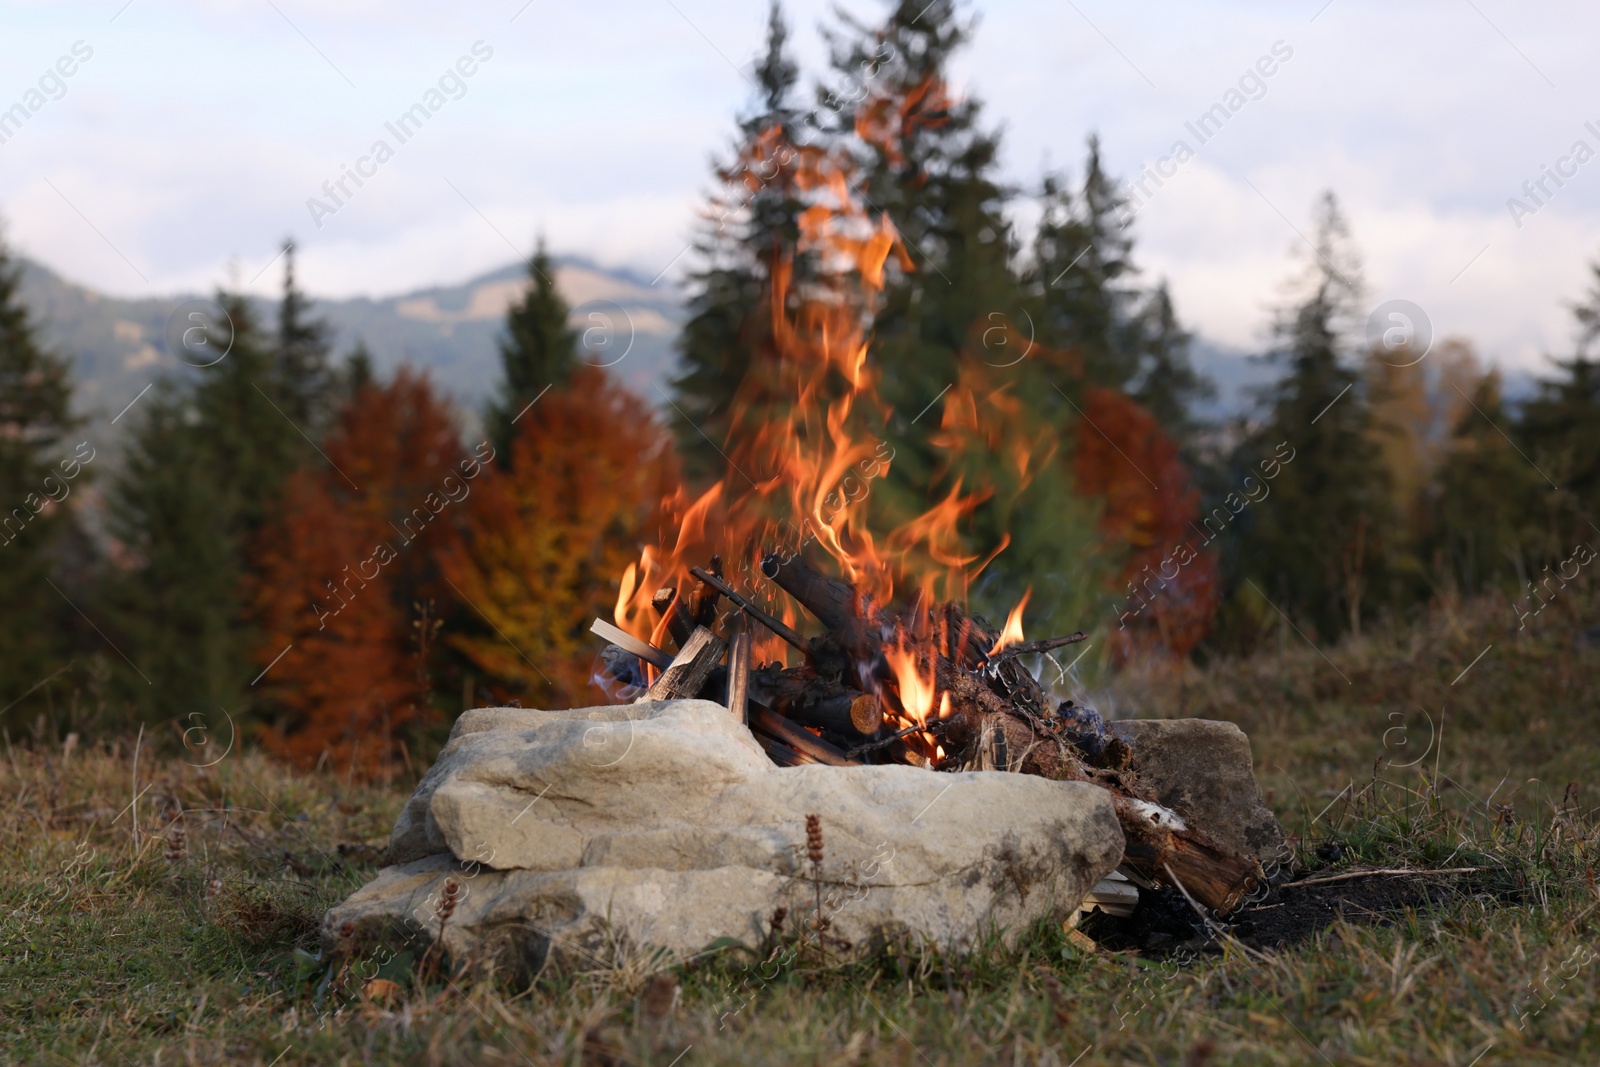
(801, 449)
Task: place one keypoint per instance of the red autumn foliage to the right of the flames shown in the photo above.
(1126, 458)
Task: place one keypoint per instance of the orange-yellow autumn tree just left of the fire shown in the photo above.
(545, 543)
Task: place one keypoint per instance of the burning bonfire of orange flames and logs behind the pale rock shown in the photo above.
(897, 669)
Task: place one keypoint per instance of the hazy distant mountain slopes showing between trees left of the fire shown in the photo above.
(119, 346)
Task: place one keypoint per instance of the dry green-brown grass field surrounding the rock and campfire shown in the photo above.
(1444, 743)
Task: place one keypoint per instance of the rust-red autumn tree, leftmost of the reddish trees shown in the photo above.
(338, 573)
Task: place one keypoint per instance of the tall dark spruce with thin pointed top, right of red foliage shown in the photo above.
(1316, 546)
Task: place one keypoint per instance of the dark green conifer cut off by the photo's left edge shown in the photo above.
(38, 471)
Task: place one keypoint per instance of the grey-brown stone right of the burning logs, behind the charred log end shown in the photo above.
(1202, 770)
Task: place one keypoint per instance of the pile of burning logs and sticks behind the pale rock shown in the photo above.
(926, 685)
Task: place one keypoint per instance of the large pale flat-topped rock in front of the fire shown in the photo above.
(594, 834)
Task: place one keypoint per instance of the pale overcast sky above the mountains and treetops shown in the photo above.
(185, 148)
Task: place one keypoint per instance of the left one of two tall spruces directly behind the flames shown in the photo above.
(751, 226)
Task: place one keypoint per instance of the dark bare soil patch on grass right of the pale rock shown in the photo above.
(1166, 924)
